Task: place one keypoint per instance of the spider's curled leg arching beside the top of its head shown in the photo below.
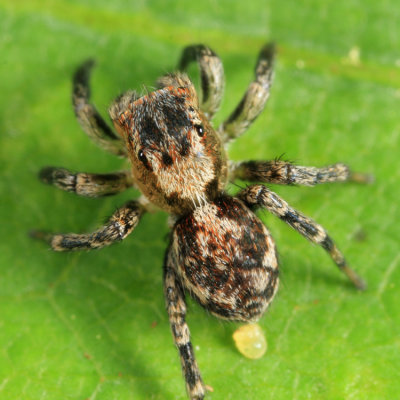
(211, 75)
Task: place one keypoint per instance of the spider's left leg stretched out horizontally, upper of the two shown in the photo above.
(85, 184)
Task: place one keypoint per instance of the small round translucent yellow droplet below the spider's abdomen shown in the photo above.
(250, 341)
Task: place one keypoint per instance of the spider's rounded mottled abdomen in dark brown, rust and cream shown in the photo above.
(226, 258)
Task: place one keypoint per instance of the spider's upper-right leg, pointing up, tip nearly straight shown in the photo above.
(254, 100)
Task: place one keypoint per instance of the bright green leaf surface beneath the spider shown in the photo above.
(93, 325)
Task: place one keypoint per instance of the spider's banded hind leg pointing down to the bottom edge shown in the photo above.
(176, 307)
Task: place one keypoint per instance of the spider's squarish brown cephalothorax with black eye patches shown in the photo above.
(177, 157)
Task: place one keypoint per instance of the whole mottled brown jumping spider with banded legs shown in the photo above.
(219, 251)
